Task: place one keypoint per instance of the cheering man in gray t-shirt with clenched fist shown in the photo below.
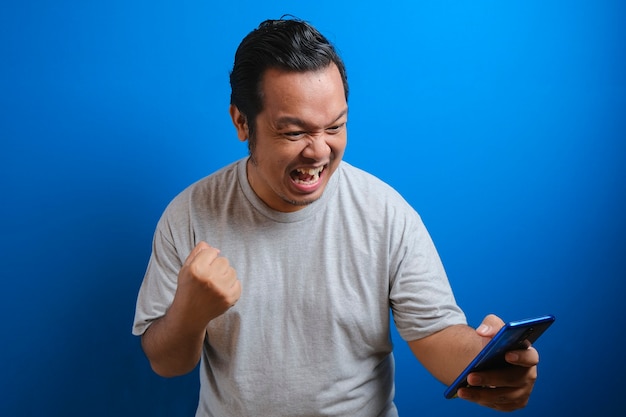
(278, 272)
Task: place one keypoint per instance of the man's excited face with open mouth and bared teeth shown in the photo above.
(300, 136)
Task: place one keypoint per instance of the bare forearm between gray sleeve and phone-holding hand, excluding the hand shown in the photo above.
(446, 353)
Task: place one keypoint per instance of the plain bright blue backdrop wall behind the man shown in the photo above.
(502, 122)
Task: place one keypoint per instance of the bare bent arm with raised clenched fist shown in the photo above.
(207, 287)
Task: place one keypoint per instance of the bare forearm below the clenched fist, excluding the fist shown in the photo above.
(171, 348)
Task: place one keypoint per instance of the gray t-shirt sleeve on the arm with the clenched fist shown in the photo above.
(159, 284)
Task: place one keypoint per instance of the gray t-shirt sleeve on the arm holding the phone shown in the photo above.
(421, 298)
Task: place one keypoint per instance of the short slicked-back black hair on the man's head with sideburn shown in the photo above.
(286, 44)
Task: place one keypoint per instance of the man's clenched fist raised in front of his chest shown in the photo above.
(207, 285)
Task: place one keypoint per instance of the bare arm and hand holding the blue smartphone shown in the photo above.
(446, 353)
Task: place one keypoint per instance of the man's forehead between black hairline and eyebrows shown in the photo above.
(314, 96)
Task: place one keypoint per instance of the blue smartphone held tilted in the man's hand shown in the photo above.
(515, 335)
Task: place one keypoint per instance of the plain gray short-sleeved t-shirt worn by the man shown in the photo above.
(310, 333)
